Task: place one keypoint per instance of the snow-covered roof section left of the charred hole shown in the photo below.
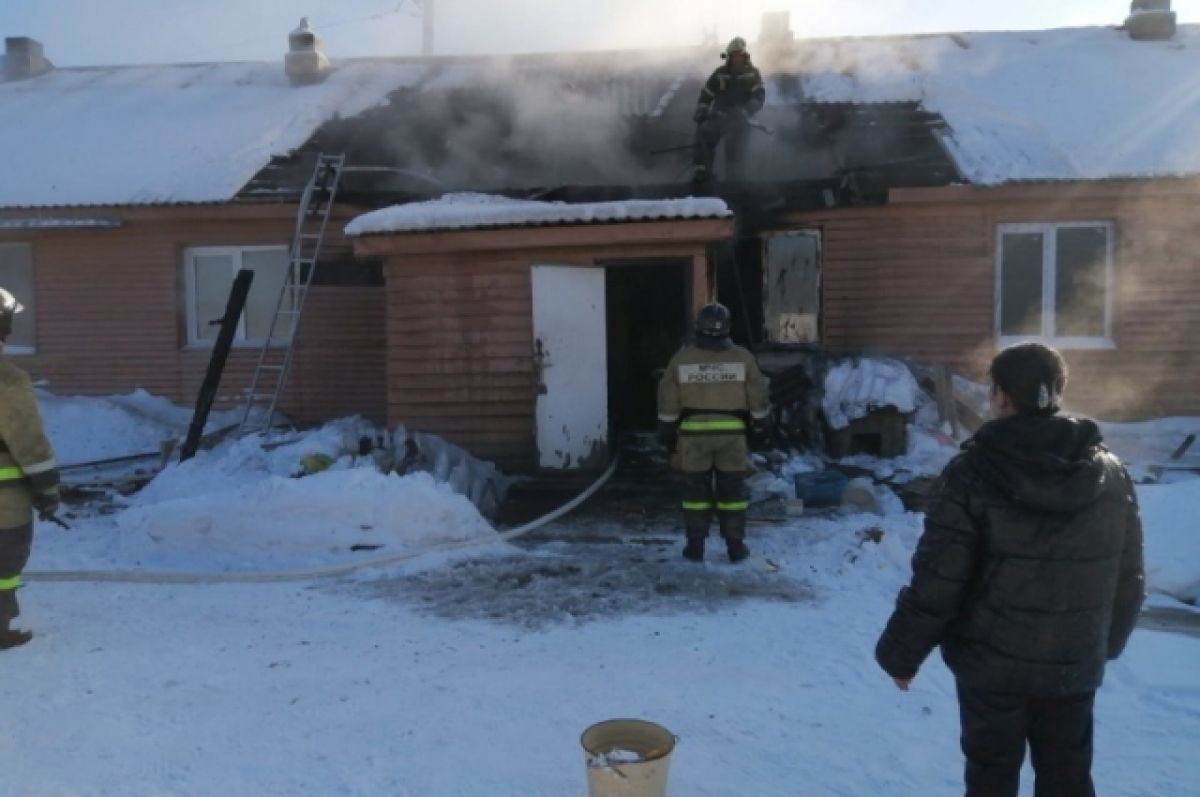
(155, 135)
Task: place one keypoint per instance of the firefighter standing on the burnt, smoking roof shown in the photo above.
(729, 101)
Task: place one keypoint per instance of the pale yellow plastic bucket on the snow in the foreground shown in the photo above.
(627, 758)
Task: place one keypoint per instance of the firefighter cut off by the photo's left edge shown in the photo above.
(29, 477)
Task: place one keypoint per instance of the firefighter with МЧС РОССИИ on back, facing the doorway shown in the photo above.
(711, 397)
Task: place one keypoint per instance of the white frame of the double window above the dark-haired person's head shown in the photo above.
(1049, 232)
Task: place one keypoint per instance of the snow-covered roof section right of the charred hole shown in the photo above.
(1058, 105)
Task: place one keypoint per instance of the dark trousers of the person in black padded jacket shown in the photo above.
(997, 729)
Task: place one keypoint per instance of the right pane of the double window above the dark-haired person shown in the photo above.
(1081, 281)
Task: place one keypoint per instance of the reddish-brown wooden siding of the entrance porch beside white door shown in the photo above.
(460, 327)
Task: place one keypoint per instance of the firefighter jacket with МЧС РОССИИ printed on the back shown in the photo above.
(713, 392)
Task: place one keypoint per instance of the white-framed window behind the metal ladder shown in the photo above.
(211, 273)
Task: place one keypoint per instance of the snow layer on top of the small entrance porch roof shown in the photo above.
(478, 211)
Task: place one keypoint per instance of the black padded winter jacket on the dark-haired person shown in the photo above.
(1030, 572)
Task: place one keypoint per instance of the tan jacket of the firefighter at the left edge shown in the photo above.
(28, 471)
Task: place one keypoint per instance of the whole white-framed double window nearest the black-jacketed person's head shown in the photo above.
(1054, 283)
